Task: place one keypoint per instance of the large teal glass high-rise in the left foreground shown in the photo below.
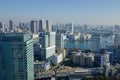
(16, 56)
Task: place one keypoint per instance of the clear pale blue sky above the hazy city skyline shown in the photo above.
(62, 11)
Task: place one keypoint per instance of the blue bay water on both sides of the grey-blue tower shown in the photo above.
(85, 45)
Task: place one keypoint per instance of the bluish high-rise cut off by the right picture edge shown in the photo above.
(117, 47)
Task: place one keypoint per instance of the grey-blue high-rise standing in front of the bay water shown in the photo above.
(96, 42)
